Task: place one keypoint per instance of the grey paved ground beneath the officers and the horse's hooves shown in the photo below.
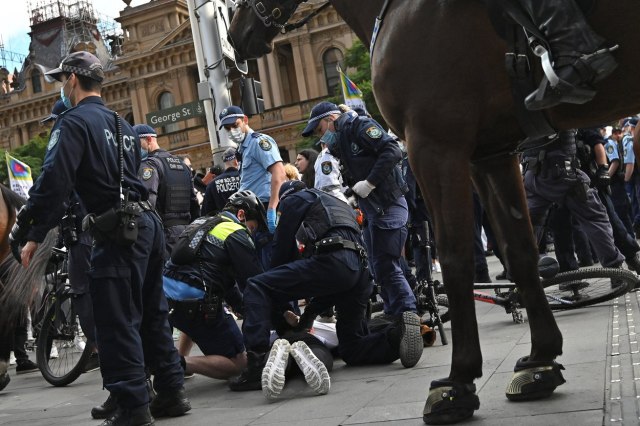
(600, 356)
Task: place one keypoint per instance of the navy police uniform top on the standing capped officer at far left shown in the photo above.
(82, 155)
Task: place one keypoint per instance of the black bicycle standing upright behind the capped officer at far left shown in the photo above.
(61, 348)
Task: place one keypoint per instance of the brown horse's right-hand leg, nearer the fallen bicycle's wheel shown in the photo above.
(498, 182)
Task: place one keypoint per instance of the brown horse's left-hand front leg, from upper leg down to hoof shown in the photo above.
(450, 202)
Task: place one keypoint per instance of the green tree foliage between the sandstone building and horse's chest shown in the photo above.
(358, 59)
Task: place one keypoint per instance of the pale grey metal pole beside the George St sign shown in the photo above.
(213, 86)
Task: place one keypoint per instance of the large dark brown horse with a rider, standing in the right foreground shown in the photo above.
(440, 82)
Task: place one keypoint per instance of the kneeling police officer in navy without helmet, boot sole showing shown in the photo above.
(333, 271)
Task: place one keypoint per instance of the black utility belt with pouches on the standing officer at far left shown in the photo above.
(119, 225)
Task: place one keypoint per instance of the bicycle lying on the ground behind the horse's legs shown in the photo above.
(564, 291)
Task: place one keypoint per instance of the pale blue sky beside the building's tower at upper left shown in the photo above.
(14, 24)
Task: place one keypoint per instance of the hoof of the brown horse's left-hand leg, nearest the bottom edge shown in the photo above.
(449, 402)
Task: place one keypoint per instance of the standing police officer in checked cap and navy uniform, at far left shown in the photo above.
(130, 310)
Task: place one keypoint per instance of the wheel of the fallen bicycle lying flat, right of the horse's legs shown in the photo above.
(585, 287)
